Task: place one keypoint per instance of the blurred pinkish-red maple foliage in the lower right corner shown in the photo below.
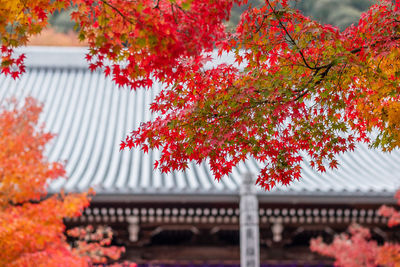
(357, 249)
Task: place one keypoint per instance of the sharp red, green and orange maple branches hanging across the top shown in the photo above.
(297, 91)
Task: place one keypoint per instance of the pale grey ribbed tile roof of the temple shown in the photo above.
(91, 115)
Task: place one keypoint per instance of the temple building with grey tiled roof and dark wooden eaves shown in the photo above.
(188, 218)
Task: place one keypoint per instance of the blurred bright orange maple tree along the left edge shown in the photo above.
(31, 221)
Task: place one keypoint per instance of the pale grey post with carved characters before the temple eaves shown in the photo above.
(249, 229)
